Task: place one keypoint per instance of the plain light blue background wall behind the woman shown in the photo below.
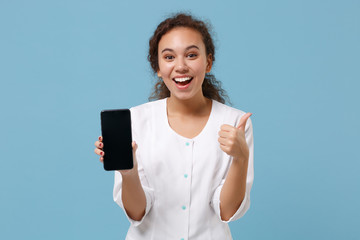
(294, 64)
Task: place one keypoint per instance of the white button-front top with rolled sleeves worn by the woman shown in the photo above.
(182, 178)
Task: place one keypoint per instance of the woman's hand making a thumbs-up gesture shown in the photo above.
(232, 139)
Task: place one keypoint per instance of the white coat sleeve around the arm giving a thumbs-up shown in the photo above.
(245, 205)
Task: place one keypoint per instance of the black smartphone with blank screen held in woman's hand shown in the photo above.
(117, 139)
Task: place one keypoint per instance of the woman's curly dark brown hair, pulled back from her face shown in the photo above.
(211, 87)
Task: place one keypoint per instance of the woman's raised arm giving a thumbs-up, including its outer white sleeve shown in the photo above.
(235, 191)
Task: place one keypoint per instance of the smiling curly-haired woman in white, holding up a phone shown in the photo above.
(193, 156)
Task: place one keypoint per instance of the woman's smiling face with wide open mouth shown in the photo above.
(183, 62)
